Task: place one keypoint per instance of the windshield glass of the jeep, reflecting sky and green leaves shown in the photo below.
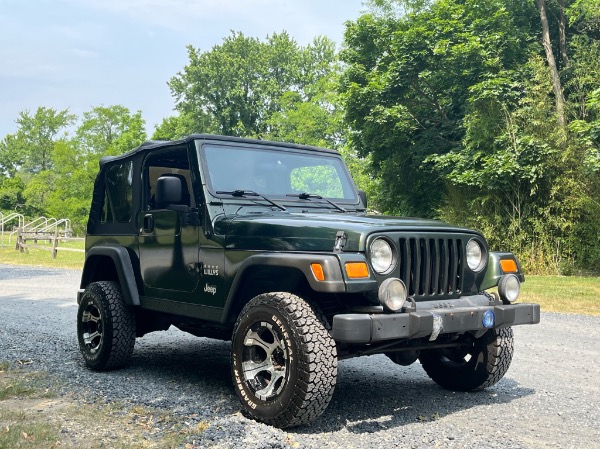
(277, 173)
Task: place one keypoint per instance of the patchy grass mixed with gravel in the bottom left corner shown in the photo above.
(33, 416)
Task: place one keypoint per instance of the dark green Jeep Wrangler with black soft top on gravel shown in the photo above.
(269, 245)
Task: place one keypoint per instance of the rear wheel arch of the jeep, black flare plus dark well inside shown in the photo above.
(111, 263)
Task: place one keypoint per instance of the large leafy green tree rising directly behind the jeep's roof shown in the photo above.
(237, 87)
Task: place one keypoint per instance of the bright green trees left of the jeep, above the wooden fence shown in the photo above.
(45, 171)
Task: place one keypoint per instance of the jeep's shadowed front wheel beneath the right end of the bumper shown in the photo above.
(479, 366)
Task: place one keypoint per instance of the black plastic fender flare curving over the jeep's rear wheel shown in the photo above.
(123, 266)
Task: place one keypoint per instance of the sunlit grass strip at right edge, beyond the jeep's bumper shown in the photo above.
(573, 294)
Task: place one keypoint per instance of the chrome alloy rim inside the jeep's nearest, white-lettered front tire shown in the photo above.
(265, 361)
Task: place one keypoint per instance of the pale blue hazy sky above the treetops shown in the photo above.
(79, 54)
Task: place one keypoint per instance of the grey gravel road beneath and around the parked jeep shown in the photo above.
(549, 398)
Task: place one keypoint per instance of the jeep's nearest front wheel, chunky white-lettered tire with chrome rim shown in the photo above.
(302, 353)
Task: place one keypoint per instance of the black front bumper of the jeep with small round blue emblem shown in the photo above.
(369, 328)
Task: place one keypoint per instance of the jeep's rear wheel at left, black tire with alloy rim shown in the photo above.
(105, 327)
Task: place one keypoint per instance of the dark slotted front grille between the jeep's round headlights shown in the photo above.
(431, 266)
